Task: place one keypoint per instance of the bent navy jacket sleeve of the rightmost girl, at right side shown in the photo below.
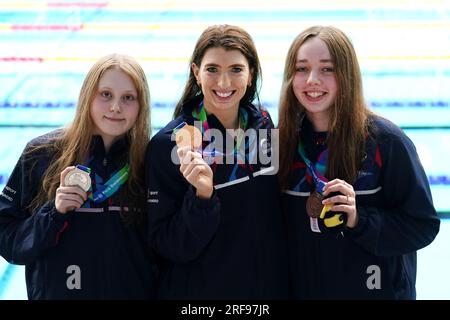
(407, 220)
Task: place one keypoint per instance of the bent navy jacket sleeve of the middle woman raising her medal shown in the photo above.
(180, 224)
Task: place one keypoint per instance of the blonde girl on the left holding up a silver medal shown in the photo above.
(73, 210)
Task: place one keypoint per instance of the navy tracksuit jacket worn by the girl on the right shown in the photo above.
(377, 259)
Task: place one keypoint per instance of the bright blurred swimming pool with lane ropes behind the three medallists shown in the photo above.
(46, 48)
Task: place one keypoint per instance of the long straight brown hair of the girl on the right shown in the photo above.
(349, 114)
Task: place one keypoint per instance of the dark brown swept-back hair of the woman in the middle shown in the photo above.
(230, 38)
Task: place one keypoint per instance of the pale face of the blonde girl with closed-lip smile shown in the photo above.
(115, 107)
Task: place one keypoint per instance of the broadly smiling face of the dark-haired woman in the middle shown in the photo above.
(224, 77)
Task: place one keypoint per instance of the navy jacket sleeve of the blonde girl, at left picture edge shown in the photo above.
(23, 235)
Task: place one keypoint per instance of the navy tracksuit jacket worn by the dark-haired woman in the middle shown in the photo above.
(231, 246)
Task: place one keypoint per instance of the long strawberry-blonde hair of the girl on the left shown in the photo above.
(72, 146)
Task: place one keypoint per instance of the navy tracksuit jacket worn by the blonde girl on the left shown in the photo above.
(89, 253)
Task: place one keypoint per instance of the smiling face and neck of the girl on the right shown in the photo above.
(314, 83)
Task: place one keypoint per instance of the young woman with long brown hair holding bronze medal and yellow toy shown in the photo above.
(356, 198)
